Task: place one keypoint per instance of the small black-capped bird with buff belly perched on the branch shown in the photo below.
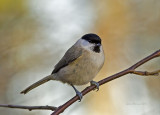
(79, 65)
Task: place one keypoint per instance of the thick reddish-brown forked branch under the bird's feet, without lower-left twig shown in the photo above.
(130, 70)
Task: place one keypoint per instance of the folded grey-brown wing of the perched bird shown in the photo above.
(72, 54)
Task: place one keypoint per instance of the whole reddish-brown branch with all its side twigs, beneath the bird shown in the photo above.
(130, 70)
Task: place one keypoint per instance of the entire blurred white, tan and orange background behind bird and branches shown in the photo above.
(34, 35)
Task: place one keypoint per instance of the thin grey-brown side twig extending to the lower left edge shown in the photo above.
(30, 108)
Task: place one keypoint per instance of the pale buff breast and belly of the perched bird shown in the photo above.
(83, 69)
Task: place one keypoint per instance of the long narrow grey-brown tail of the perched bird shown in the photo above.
(38, 83)
